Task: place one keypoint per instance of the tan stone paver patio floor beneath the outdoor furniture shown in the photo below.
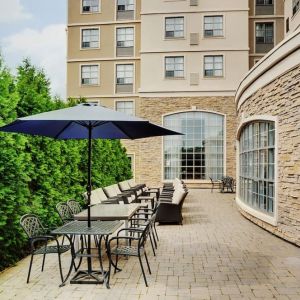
(215, 254)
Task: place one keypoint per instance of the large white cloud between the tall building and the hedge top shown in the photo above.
(45, 47)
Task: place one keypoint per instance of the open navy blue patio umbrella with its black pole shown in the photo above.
(86, 121)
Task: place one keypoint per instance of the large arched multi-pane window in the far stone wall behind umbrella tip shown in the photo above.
(199, 153)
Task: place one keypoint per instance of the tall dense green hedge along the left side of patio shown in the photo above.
(35, 172)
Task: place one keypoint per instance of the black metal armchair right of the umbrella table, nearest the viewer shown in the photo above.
(128, 249)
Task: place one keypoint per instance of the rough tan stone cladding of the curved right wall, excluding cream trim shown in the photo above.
(281, 98)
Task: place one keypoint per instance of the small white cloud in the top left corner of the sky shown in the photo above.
(12, 11)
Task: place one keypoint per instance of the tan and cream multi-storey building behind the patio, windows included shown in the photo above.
(176, 63)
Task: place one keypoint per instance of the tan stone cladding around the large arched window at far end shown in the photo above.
(148, 152)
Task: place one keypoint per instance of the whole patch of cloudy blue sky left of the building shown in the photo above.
(36, 29)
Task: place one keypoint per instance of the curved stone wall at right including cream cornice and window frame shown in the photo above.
(272, 92)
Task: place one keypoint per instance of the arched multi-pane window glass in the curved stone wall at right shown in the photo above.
(257, 169)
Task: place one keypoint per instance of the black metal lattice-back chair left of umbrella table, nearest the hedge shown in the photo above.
(38, 236)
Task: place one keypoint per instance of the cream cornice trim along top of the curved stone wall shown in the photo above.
(284, 57)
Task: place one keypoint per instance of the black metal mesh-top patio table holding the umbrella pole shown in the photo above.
(77, 228)
